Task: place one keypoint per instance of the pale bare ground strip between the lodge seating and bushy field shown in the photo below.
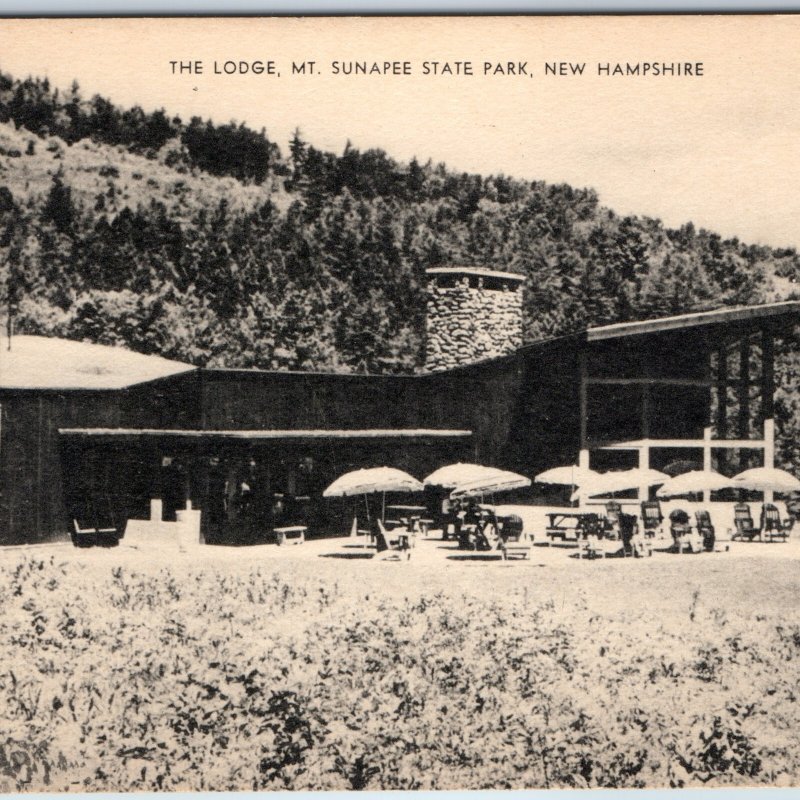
(744, 576)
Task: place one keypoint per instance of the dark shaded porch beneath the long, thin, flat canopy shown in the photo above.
(245, 483)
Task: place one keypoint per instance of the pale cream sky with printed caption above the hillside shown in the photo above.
(719, 149)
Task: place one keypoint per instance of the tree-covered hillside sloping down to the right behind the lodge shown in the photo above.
(205, 243)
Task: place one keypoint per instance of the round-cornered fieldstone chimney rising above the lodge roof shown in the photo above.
(473, 314)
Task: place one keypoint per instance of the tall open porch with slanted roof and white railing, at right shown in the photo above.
(695, 391)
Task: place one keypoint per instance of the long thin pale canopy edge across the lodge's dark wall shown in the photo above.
(369, 433)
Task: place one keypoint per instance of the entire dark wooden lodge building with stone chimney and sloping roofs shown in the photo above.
(83, 424)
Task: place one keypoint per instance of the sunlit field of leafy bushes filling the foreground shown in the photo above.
(311, 675)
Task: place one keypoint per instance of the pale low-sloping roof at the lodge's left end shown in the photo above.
(42, 362)
